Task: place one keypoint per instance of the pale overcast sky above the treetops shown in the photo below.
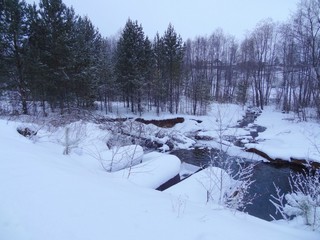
(190, 18)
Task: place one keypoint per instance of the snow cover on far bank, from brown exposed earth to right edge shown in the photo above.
(284, 137)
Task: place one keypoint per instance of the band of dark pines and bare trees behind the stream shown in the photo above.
(52, 59)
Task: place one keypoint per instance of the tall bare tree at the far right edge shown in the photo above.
(306, 27)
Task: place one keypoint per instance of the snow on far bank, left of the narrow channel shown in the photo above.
(218, 124)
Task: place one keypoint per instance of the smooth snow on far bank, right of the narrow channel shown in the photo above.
(286, 138)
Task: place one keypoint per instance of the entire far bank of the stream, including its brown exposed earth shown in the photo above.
(249, 133)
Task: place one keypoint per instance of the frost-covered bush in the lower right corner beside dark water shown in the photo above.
(303, 199)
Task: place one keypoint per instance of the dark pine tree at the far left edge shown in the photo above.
(13, 40)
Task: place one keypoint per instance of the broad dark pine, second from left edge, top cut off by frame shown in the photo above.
(54, 38)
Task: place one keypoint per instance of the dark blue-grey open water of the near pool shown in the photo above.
(265, 176)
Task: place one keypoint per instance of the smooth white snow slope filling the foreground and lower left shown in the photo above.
(47, 195)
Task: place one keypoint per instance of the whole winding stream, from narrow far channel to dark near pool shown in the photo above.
(265, 175)
